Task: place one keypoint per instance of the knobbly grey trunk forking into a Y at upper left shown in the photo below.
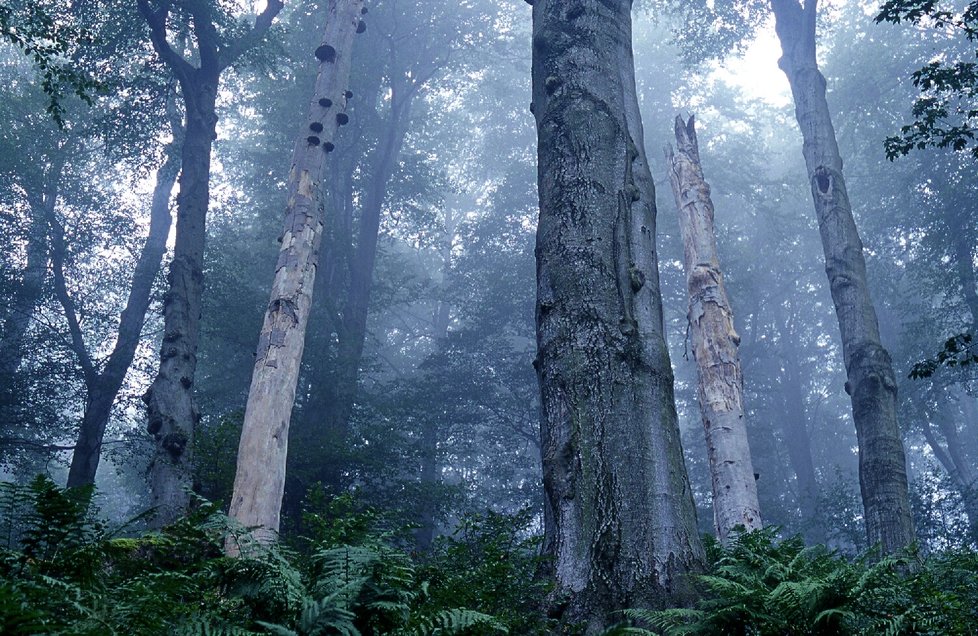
(171, 413)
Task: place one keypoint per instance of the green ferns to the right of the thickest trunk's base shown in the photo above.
(763, 587)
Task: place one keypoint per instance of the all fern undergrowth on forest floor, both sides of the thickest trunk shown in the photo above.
(63, 571)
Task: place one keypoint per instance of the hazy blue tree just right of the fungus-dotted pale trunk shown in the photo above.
(419, 41)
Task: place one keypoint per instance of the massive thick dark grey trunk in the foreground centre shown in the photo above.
(619, 514)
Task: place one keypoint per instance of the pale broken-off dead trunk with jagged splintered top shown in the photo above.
(715, 342)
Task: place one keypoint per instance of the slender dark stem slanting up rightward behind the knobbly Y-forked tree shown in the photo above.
(103, 387)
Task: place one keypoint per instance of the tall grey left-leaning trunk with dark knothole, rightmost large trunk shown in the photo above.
(871, 381)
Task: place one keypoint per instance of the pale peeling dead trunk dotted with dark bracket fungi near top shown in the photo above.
(260, 479)
